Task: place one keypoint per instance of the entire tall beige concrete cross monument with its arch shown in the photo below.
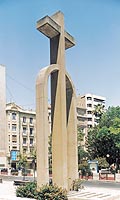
(63, 108)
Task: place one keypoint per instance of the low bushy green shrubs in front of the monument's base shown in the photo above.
(52, 192)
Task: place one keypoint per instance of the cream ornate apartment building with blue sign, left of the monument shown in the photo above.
(21, 130)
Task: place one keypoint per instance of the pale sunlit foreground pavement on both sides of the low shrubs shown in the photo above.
(8, 192)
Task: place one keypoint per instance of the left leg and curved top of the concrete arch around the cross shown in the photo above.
(42, 126)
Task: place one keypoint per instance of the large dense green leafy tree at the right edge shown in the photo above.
(104, 138)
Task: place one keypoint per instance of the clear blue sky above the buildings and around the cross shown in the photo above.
(93, 63)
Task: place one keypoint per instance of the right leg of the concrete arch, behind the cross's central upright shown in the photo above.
(72, 153)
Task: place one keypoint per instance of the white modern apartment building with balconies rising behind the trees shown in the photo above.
(90, 101)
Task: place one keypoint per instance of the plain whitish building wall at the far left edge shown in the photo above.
(3, 138)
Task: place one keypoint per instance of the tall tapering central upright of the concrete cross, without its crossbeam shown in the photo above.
(58, 104)
